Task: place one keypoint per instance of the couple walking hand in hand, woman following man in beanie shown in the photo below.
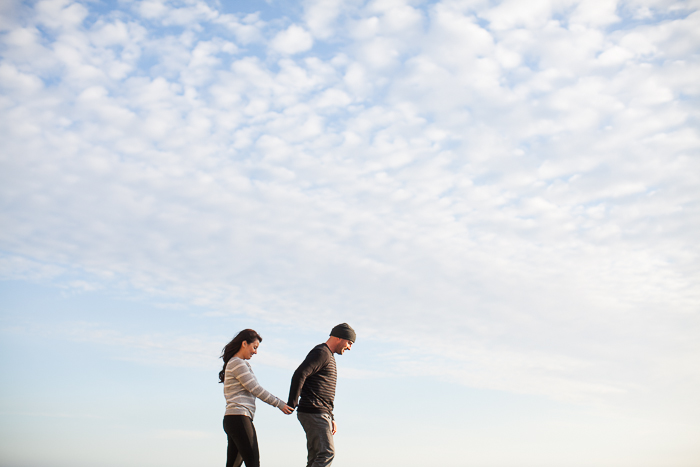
(313, 386)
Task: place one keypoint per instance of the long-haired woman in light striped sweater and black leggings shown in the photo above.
(240, 389)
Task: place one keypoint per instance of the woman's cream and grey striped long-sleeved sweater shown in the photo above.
(241, 388)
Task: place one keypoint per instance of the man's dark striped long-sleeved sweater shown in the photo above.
(314, 381)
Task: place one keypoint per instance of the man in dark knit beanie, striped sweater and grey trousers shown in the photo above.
(314, 381)
